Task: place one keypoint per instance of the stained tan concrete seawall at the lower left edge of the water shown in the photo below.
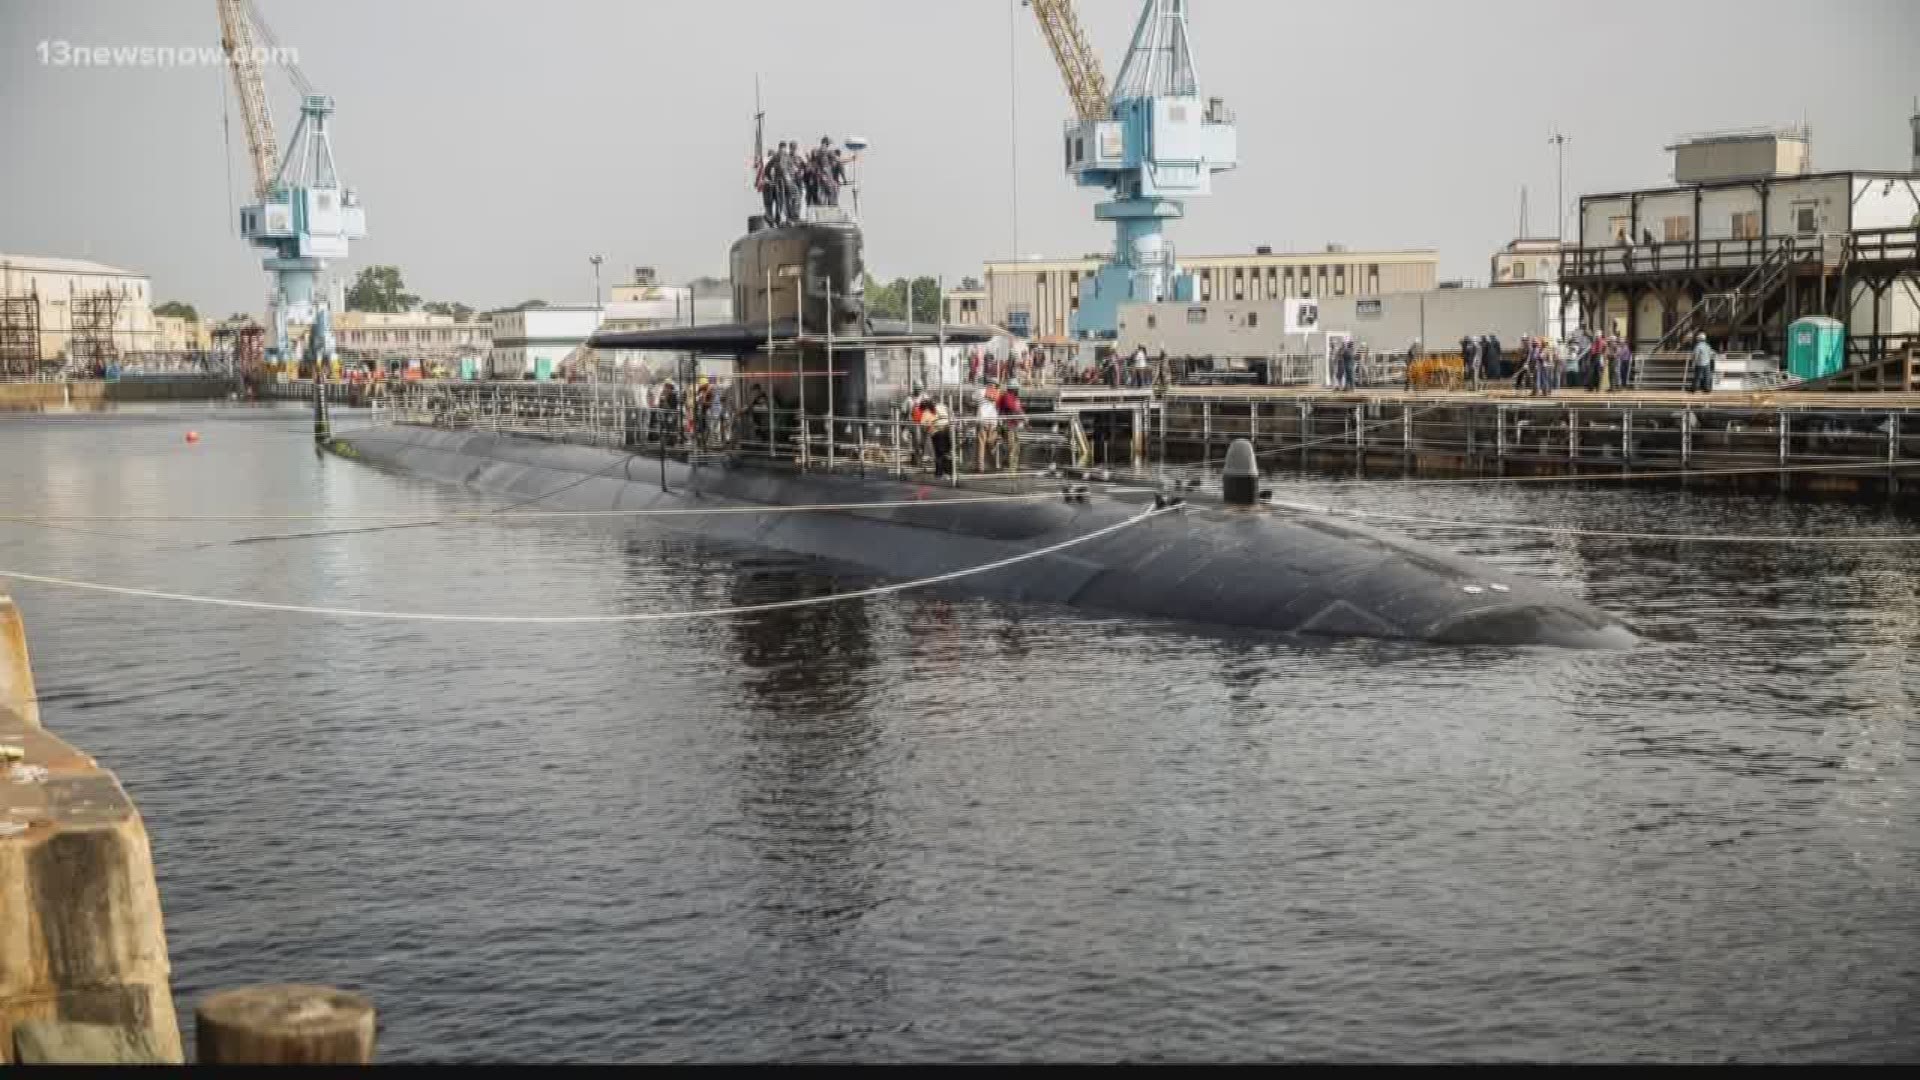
(82, 937)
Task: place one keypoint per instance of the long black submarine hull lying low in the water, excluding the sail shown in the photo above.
(1209, 564)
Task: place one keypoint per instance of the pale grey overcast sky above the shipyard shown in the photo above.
(498, 145)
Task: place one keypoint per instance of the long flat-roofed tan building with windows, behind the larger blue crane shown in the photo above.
(1038, 299)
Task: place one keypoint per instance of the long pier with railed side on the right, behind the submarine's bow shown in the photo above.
(1804, 443)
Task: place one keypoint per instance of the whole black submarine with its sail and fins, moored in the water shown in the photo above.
(1234, 562)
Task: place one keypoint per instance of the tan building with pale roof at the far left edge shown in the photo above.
(74, 310)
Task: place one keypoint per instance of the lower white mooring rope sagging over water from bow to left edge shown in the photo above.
(577, 620)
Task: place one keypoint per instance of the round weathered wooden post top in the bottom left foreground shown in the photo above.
(285, 1025)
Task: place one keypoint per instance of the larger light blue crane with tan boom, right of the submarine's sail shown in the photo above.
(1151, 141)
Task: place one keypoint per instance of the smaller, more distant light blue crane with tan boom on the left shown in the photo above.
(302, 214)
